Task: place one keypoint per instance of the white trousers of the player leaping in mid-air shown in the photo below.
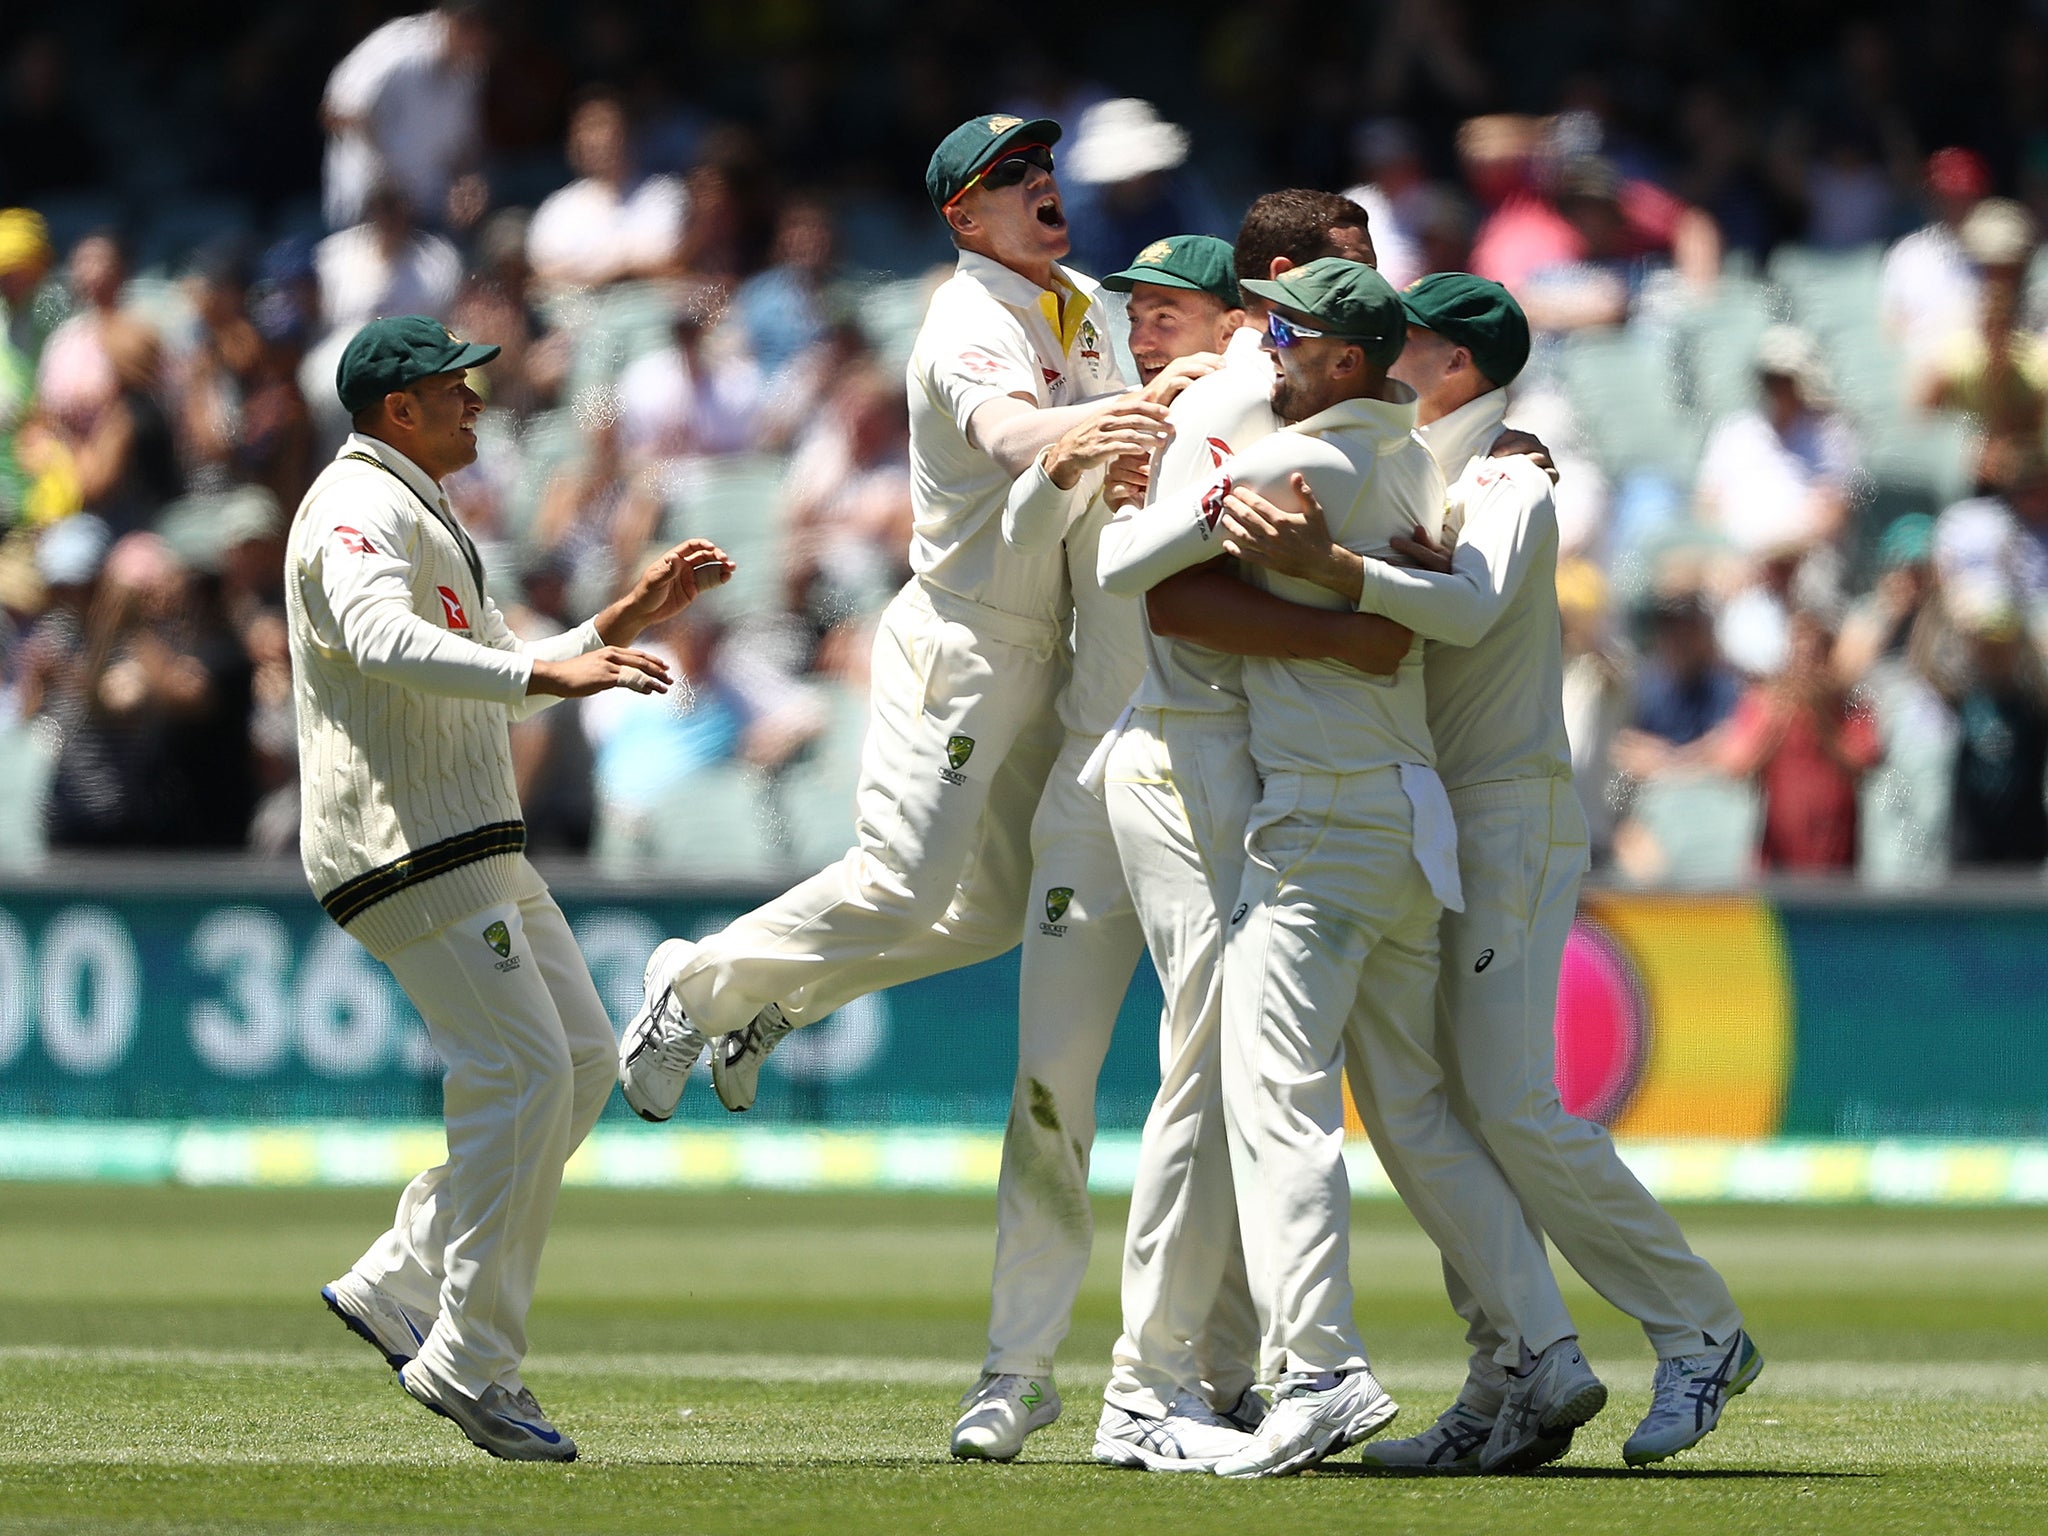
(962, 736)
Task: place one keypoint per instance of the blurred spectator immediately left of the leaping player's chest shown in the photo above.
(847, 507)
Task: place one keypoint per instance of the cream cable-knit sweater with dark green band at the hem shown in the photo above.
(404, 681)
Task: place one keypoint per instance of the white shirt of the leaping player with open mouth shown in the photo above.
(994, 333)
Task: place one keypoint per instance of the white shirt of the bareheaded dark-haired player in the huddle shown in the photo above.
(1213, 419)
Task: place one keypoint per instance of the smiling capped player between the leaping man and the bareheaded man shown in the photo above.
(1082, 937)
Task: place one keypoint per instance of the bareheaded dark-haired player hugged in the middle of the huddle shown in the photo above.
(1181, 785)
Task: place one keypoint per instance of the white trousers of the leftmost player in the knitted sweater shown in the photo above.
(529, 1064)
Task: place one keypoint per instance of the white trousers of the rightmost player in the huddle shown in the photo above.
(1523, 851)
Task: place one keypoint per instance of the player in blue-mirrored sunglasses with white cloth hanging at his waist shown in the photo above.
(1332, 945)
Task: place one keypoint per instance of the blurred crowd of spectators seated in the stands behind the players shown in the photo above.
(1791, 361)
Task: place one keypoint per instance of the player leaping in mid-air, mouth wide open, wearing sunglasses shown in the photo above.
(968, 663)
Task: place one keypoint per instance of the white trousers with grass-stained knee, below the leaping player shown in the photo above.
(1082, 943)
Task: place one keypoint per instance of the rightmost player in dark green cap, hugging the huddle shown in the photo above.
(1494, 679)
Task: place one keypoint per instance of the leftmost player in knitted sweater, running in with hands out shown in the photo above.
(404, 679)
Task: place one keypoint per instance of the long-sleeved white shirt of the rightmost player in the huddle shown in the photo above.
(1494, 669)
